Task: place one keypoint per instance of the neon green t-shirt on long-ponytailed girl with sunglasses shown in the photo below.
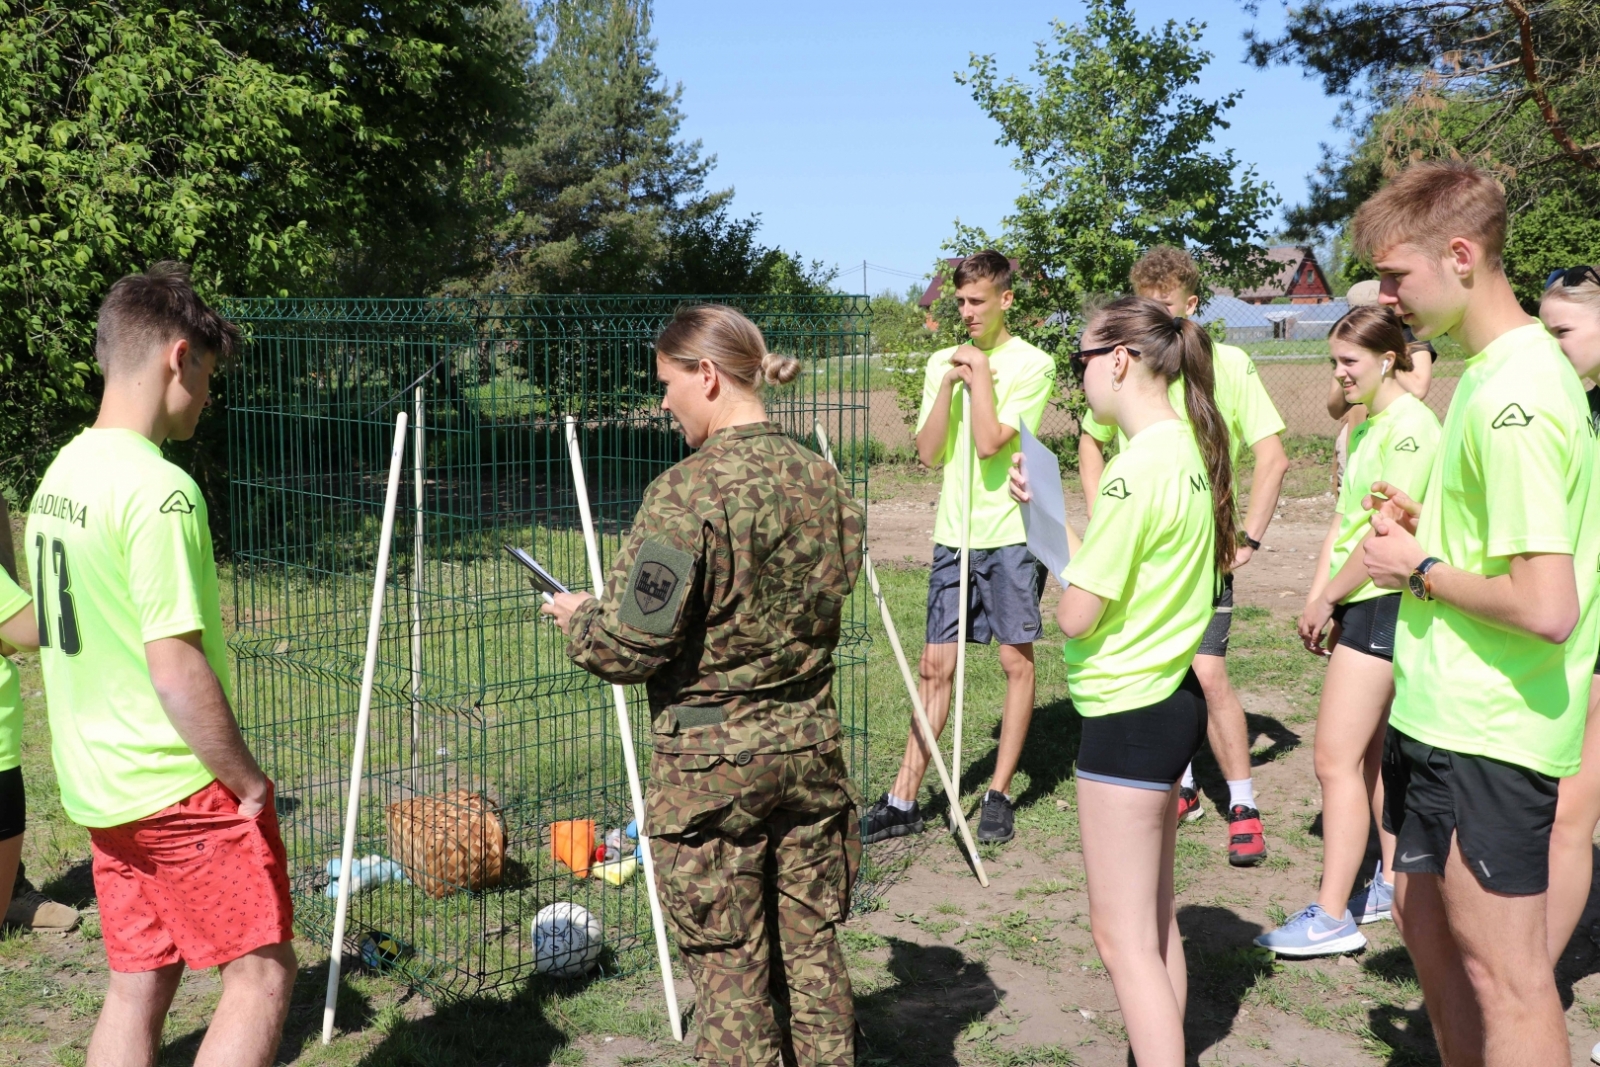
(1148, 556)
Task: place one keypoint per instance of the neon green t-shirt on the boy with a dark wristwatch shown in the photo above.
(1514, 476)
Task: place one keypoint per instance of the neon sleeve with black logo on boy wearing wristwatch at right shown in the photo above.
(1524, 439)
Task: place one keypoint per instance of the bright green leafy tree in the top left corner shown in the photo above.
(130, 134)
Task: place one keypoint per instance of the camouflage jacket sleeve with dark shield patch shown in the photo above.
(641, 623)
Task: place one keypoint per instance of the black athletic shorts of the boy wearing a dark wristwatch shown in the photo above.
(1500, 813)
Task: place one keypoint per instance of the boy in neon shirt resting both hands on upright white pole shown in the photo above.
(1007, 386)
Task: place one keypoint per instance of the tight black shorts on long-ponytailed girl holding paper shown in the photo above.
(1146, 748)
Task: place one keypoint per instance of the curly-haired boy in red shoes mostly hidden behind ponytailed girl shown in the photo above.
(1170, 278)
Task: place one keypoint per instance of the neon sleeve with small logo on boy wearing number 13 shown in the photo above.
(167, 540)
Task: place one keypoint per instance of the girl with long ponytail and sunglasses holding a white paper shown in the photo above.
(1140, 594)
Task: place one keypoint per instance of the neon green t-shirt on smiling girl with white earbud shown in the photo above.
(1398, 446)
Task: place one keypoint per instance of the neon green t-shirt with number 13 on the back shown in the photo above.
(121, 554)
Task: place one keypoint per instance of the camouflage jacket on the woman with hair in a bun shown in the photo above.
(726, 599)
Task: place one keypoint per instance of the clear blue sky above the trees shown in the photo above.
(844, 127)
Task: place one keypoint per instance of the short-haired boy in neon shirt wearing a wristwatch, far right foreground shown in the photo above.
(1500, 572)
